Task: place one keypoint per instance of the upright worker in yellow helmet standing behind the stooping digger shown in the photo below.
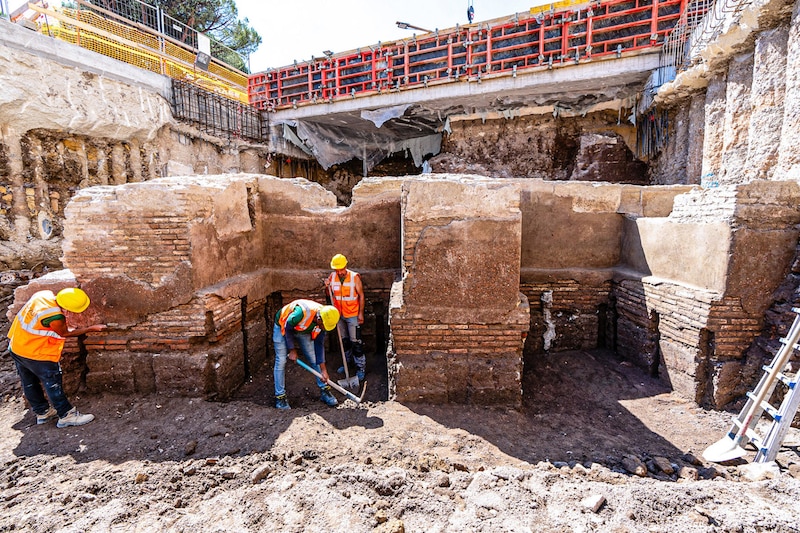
(348, 298)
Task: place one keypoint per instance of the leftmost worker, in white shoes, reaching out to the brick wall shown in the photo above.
(37, 339)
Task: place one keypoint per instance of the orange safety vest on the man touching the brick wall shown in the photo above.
(29, 338)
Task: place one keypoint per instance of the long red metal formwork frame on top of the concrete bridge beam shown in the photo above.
(495, 48)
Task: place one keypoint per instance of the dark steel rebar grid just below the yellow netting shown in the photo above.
(215, 114)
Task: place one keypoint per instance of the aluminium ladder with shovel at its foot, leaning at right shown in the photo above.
(743, 430)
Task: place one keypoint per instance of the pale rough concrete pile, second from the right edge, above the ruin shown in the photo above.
(767, 97)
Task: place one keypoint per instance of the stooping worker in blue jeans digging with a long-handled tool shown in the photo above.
(302, 322)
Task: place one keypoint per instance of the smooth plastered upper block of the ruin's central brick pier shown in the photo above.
(479, 226)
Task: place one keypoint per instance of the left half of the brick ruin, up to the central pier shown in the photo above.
(187, 272)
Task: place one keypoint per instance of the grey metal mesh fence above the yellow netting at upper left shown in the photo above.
(156, 19)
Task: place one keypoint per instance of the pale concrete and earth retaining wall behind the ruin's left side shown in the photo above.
(70, 119)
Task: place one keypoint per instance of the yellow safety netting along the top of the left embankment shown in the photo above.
(140, 48)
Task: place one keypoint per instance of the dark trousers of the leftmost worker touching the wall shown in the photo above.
(35, 374)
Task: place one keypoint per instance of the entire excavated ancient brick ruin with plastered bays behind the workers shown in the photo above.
(469, 278)
